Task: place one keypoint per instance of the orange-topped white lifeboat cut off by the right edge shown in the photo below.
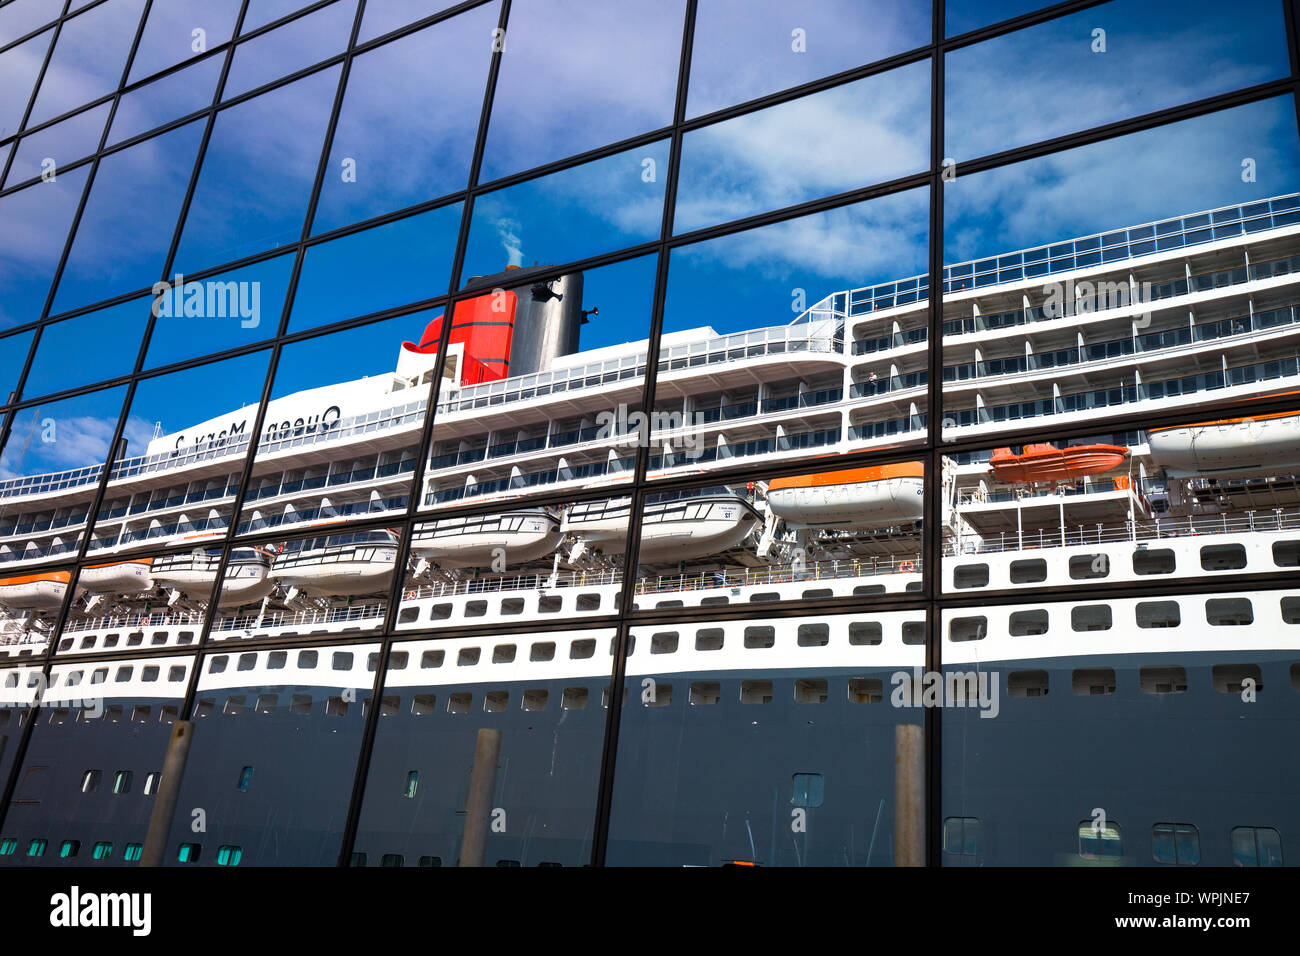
(1229, 447)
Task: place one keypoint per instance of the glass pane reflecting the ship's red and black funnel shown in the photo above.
(540, 383)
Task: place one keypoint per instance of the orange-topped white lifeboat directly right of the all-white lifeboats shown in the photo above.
(852, 499)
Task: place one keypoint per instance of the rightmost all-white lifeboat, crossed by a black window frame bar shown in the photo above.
(674, 529)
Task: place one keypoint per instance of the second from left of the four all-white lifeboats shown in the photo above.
(339, 565)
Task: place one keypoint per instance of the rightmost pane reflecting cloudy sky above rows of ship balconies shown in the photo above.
(1026, 344)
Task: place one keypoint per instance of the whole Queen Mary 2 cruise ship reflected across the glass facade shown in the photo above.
(1091, 698)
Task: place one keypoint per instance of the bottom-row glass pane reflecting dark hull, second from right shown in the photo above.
(704, 739)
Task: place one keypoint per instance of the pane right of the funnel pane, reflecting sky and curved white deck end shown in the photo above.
(796, 301)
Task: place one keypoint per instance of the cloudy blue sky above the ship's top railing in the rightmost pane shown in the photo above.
(1172, 171)
